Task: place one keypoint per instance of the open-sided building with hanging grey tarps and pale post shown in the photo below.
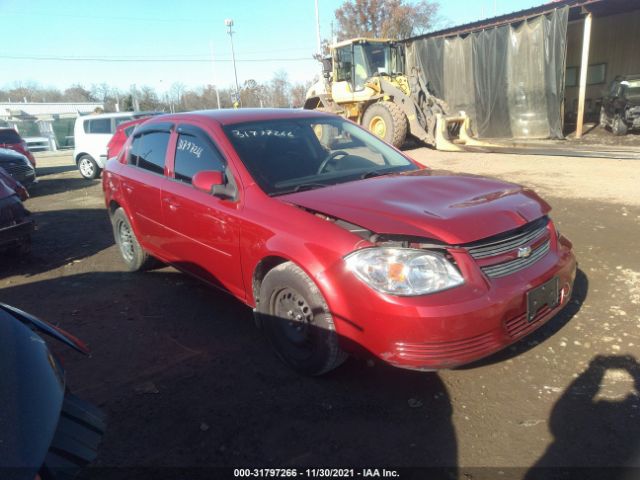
(530, 74)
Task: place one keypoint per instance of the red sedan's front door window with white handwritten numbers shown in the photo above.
(194, 153)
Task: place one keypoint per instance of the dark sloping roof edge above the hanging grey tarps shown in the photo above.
(598, 7)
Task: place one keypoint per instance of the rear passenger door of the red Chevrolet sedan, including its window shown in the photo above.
(143, 182)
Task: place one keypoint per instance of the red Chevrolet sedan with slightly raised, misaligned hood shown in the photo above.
(337, 239)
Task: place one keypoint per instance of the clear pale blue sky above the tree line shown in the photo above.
(170, 41)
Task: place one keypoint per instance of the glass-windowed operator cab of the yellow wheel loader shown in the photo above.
(355, 61)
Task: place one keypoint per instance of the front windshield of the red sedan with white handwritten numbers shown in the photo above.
(289, 155)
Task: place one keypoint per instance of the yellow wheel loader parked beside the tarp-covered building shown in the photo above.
(364, 80)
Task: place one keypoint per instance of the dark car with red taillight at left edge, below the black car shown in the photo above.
(16, 224)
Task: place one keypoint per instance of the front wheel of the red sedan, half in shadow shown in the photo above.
(296, 320)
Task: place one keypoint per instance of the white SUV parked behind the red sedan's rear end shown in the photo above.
(91, 136)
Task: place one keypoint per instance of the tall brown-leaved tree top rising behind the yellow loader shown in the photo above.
(385, 18)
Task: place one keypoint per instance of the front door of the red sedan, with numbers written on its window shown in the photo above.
(204, 228)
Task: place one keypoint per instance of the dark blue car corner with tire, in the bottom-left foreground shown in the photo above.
(47, 432)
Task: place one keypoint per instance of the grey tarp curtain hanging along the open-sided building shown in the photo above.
(508, 79)
